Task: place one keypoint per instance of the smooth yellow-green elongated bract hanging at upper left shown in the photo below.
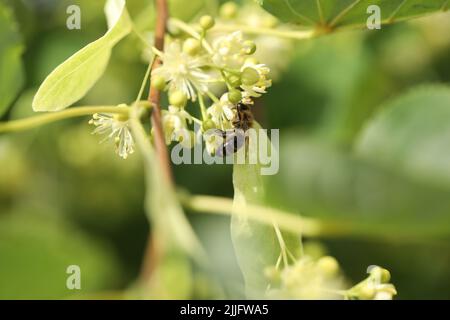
(71, 80)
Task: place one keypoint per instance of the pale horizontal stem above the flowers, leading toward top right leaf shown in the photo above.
(289, 34)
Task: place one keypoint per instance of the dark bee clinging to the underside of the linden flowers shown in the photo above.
(234, 139)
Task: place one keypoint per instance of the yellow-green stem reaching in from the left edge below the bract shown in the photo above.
(33, 122)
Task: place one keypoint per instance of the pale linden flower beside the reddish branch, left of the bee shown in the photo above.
(175, 122)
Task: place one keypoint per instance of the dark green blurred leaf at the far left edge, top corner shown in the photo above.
(11, 68)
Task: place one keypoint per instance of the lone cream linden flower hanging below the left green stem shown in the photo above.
(117, 128)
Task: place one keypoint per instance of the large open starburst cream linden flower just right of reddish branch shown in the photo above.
(183, 71)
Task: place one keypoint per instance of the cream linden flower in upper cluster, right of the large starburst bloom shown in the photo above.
(229, 51)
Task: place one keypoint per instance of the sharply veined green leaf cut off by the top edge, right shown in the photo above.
(348, 13)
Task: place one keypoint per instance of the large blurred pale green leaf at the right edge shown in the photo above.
(412, 135)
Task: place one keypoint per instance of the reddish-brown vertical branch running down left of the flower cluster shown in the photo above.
(152, 252)
